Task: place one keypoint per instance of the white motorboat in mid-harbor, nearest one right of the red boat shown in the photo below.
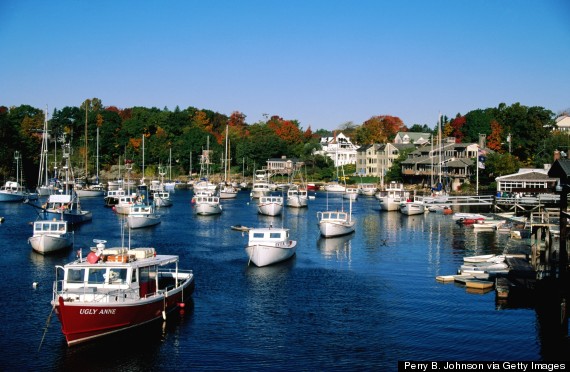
(269, 245)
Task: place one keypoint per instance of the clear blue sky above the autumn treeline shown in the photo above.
(321, 62)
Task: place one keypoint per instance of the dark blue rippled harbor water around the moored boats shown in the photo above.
(363, 302)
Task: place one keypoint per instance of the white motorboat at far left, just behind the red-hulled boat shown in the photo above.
(50, 236)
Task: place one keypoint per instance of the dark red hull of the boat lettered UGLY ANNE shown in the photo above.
(82, 322)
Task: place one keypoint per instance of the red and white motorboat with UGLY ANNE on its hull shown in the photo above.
(115, 289)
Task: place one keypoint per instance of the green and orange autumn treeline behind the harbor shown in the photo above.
(185, 133)
